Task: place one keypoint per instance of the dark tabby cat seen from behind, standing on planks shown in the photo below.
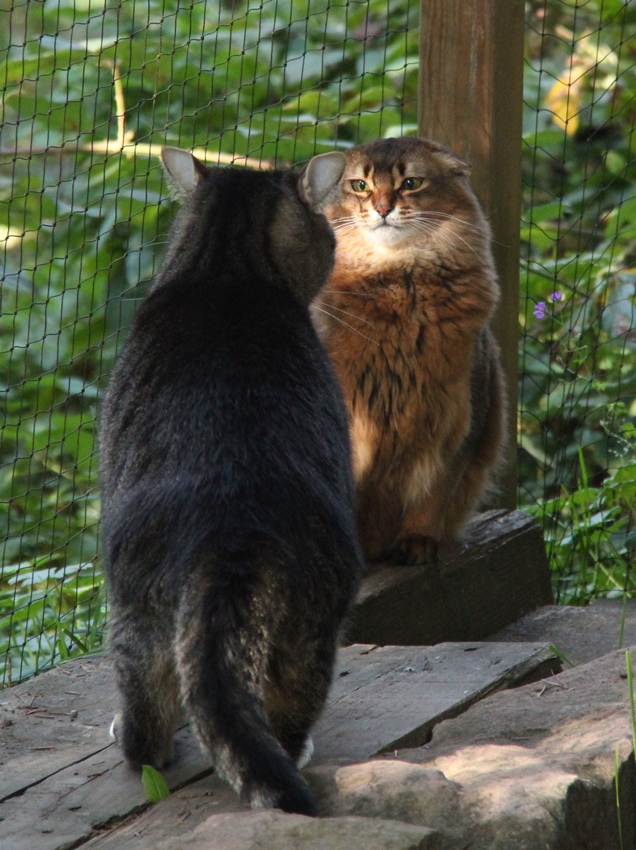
(227, 495)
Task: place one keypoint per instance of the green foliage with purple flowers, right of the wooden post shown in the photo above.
(577, 461)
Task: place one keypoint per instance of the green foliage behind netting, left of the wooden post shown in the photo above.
(83, 229)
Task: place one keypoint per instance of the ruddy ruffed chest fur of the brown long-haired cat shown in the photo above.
(403, 360)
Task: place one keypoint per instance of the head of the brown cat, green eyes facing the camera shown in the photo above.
(398, 193)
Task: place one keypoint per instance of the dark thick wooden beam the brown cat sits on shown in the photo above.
(497, 575)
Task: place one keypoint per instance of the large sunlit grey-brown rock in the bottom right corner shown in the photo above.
(526, 769)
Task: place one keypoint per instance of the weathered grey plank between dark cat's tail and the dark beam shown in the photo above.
(390, 698)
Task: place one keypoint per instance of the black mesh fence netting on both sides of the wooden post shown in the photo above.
(93, 89)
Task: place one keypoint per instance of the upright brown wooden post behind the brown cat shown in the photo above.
(470, 99)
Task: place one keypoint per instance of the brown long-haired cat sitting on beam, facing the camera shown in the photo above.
(405, 318)
